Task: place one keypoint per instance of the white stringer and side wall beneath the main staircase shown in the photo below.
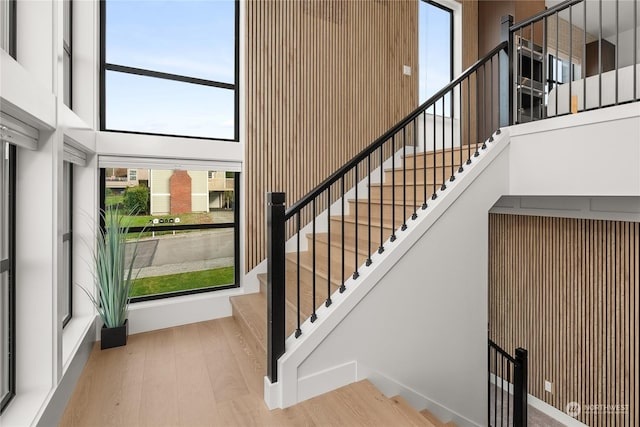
(389, 320)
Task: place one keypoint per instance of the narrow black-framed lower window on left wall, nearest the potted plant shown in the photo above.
(67, 243)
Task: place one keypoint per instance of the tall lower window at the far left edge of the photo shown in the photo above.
(7, 274)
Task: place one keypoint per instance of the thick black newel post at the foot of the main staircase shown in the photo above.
(275, 282)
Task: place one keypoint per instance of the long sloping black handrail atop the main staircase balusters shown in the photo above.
(296, 207)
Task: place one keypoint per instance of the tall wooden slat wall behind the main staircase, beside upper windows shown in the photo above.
(324, 79)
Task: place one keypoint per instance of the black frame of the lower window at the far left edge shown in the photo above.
(10, 265)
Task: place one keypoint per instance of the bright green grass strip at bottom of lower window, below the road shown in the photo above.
(182, 281)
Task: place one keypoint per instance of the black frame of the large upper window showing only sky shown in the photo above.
(104, 67)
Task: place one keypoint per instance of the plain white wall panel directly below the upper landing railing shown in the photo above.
(595, 153)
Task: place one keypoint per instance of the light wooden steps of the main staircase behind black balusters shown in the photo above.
(250, 310)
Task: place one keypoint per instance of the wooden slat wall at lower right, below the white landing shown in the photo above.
(567, 291)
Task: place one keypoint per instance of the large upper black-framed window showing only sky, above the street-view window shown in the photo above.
(170, 67)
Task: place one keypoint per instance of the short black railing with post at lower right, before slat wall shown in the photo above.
(507, 387)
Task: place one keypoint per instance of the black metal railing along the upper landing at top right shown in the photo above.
(576, 56)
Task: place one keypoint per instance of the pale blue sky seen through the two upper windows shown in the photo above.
(195, 38)
